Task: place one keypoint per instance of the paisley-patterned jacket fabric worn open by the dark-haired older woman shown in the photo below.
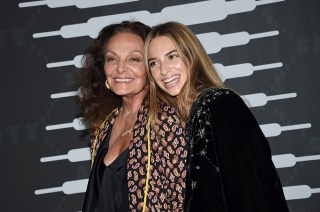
(168, 160)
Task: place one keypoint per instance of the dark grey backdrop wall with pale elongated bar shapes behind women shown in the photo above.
(266, 50)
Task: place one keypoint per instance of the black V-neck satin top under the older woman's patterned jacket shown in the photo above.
(110, 192)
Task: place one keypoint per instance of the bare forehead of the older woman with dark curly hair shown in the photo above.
(123, 41)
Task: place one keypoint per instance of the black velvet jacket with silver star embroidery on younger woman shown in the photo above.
(230, 167)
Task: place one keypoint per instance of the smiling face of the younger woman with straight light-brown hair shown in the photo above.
(166, 66)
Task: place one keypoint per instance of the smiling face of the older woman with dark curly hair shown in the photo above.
(124, 67)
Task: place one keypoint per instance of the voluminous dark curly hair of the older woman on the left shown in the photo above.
(96, 101)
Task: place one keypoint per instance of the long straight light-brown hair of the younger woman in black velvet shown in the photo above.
(200, 75)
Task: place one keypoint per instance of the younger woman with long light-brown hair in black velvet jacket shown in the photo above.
(230, 167)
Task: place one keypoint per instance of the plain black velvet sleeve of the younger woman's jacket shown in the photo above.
(249, 179)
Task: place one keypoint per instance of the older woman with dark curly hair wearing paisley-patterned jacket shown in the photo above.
(134, 166)
